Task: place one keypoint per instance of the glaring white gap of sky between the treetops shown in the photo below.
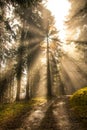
(60, 10)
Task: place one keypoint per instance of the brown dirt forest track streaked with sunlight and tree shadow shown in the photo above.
(55, 114)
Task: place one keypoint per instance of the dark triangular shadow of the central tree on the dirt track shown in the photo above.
(49, 121)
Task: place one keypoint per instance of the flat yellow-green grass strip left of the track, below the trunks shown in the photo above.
(13, 110)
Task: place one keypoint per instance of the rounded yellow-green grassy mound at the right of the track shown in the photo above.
(79, 103)
